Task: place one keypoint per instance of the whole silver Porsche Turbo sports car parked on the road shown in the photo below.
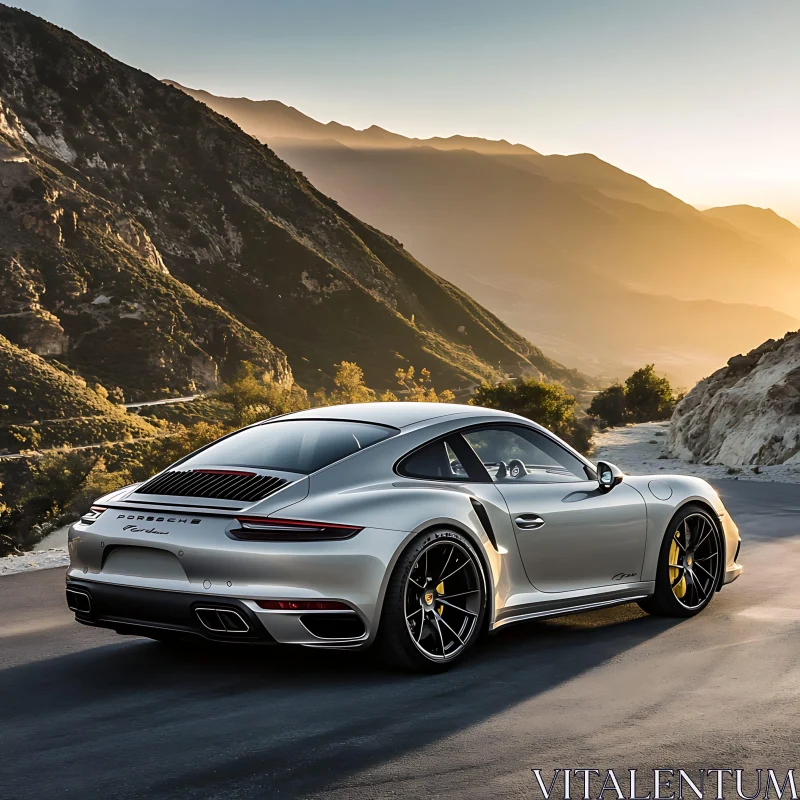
(415, 527)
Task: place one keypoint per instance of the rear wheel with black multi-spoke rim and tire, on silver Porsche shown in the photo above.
(427, 626)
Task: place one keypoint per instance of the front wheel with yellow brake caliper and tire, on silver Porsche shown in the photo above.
(687, 575)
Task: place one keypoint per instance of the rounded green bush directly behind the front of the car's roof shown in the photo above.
(549, 404)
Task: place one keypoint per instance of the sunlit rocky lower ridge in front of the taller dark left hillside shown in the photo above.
(82, 281)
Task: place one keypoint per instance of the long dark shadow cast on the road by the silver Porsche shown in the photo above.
(204, 722)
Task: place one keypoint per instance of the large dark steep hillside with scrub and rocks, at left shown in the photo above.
(149, 243)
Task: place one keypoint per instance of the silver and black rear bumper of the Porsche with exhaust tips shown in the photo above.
(146, 585)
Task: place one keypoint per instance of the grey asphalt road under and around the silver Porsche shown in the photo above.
(88, 714)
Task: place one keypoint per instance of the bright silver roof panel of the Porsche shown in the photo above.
(398, 414)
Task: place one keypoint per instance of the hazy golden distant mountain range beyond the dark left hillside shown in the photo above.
(562, 248)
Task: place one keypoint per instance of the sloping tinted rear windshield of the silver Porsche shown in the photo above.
(292, 445)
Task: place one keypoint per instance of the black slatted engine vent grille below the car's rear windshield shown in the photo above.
(217, 483)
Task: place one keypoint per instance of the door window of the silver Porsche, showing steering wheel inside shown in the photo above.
(513, 454)
